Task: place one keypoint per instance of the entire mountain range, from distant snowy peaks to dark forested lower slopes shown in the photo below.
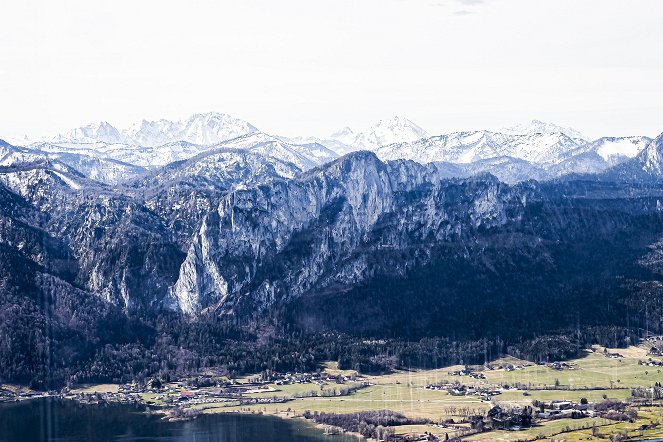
(107, 235)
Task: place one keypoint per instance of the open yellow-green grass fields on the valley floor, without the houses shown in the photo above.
(594, 376)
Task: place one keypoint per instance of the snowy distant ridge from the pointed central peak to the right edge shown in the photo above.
(535, 150)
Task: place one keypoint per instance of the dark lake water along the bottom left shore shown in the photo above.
(66, 421)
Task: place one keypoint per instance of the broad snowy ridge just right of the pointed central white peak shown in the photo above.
(541, 151)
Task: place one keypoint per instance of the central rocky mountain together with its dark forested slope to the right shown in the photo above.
(341, 246)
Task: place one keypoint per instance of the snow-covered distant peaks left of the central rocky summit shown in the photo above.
(150, 144)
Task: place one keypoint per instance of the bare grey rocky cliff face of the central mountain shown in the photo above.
(268, 245)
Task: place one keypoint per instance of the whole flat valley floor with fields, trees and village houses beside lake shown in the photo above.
(603, 393)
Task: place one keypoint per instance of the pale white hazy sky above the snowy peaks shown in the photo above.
(310, 67)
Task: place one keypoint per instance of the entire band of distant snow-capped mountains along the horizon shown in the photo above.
(535, 150)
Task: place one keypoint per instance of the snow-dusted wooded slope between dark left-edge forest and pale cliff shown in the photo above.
(121, 249)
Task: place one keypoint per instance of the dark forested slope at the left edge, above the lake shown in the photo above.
(46, 322)
